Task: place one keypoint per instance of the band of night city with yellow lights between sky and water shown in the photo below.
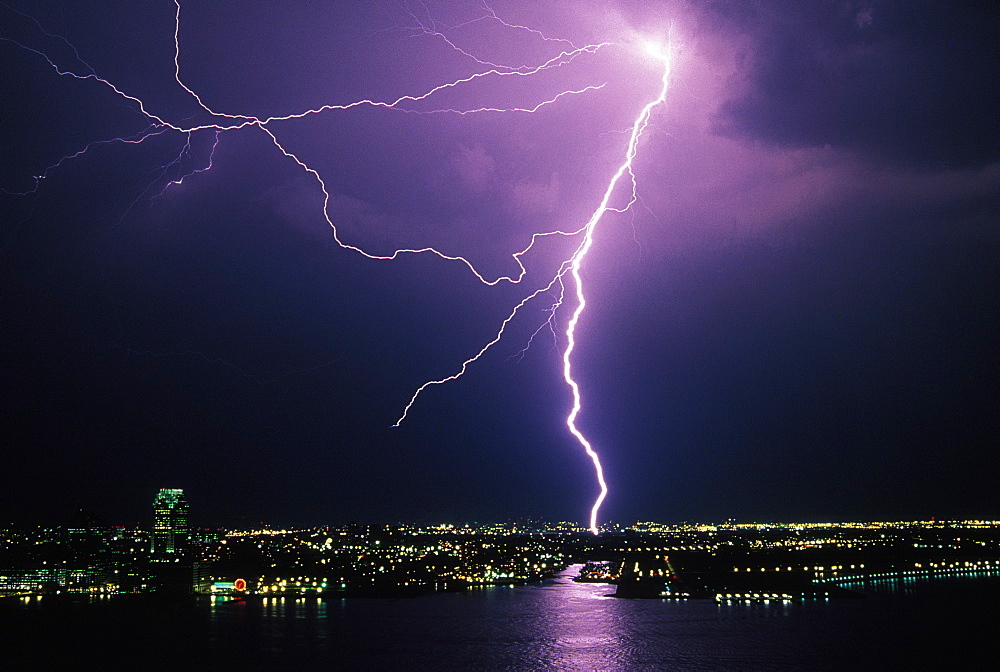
(727, 563)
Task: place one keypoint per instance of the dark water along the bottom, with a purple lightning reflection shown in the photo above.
(942, 623)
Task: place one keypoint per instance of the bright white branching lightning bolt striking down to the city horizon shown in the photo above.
(569, 271)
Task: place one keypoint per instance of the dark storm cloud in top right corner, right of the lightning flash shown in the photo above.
(913, 83)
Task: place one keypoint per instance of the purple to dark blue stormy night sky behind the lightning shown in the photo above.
(799, 318)
